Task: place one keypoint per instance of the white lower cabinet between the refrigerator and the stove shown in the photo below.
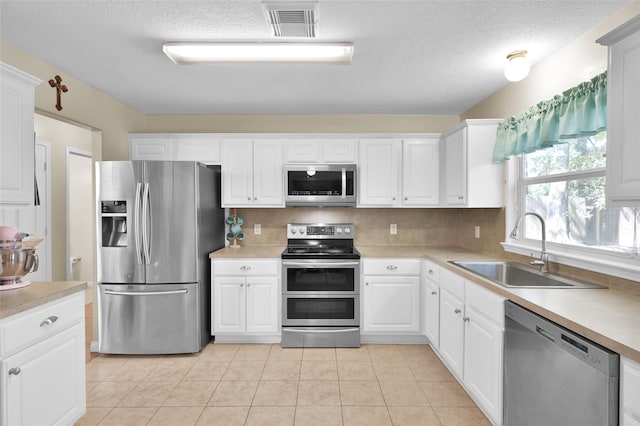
(245, 297)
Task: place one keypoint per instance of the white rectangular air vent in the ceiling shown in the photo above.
(292, 19)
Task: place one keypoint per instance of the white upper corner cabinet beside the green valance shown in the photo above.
(470, 177)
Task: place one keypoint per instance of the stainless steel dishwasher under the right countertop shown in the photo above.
(554, 377)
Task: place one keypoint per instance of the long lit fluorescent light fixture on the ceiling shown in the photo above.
(202, 53)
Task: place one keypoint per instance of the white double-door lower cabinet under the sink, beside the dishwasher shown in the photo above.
(471, 339)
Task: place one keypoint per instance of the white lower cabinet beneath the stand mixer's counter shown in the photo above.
(43, 364)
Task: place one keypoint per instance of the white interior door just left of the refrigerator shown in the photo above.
(80, 216)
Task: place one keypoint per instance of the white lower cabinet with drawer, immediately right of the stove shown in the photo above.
(391, 296)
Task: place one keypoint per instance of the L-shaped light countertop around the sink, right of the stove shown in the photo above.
(609, 317)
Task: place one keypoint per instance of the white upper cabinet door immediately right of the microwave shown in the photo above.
(379, 172)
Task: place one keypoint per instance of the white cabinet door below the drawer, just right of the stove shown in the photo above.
(392, 304)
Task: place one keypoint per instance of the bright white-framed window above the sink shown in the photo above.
(565, 184)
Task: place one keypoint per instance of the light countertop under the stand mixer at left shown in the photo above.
(38, 293)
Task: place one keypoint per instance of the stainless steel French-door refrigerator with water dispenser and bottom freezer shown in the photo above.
(157, 223)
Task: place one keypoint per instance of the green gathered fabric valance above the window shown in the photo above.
(579, 111)
